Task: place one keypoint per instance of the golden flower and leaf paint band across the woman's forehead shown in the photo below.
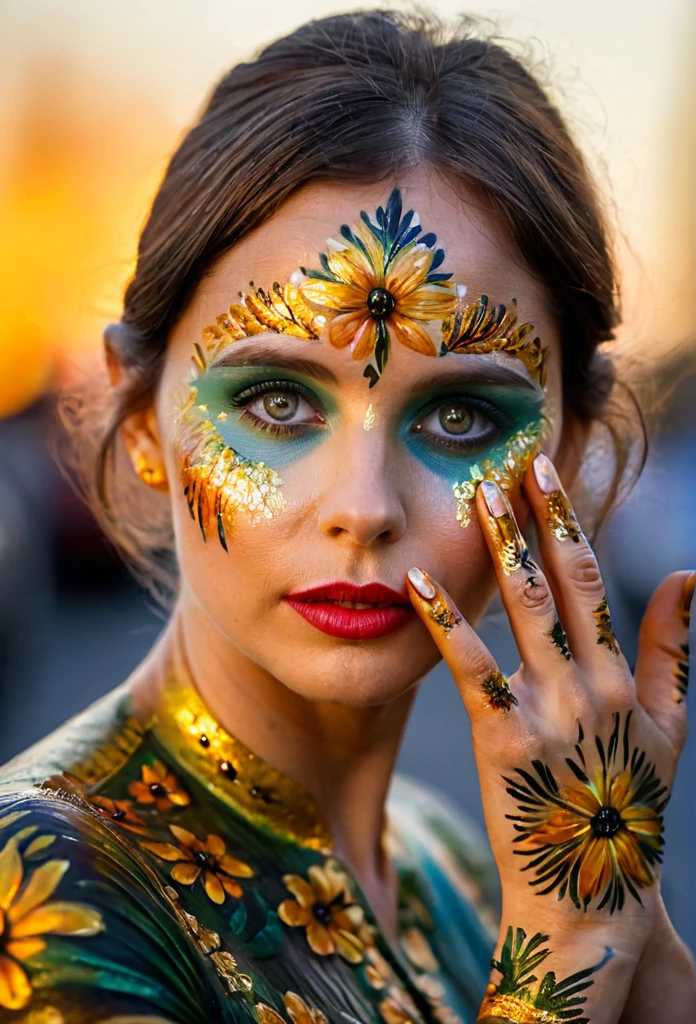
(380, 282)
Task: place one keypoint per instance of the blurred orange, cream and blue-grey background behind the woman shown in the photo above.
(94, 99)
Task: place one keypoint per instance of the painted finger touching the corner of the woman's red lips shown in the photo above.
(482, 685)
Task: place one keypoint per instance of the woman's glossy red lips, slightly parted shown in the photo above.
(319, 606)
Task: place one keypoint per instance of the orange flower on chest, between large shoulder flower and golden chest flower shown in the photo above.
(208, 861)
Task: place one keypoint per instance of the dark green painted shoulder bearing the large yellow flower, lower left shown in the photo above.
(88, 928)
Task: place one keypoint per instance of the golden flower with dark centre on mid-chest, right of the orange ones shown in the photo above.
(325, 908)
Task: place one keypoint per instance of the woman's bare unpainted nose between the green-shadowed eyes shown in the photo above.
(361, 501)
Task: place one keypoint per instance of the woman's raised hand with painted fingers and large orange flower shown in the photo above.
(576, 757)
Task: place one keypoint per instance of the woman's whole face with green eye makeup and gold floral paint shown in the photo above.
(290, 475)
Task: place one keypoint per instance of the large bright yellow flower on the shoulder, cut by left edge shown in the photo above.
(26, 918)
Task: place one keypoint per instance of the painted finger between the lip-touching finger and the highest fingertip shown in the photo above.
(527, 595)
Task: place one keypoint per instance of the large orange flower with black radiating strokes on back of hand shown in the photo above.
(596, 840)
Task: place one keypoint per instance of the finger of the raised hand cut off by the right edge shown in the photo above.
(663, 666)
